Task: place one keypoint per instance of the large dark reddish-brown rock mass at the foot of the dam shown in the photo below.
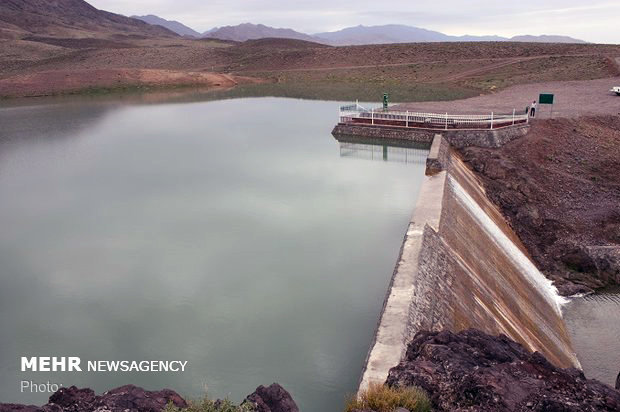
(472, 371)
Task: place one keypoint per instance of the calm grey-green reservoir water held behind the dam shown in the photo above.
(236, 235)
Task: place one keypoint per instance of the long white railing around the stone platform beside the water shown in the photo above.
(356, 114)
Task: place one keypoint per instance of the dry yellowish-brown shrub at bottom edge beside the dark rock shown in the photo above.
(382, 398)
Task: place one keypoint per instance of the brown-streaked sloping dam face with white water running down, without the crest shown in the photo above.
(478, 274)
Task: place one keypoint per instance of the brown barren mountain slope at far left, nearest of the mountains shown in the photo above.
(68, 18)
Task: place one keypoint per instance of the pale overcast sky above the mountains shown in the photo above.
(590, 20)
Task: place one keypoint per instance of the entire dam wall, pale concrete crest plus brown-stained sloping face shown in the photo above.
(462, 266)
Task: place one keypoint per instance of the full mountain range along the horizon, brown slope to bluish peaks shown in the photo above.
(77, 18)
